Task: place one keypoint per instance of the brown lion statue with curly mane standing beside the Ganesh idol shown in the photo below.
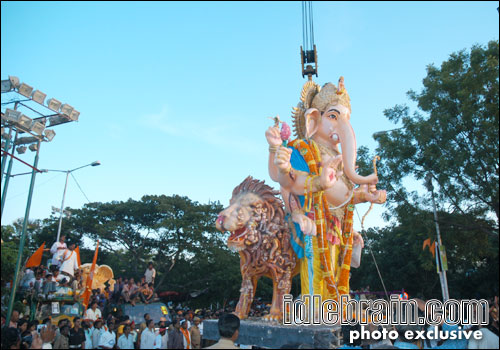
(259, 232)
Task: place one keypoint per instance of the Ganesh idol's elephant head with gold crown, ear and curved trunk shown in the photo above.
(323, 115)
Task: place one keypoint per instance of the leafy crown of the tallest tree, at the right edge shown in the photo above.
(453, 135)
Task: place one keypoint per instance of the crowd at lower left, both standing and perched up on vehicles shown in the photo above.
(98, 327)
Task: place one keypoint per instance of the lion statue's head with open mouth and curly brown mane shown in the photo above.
(253, 212)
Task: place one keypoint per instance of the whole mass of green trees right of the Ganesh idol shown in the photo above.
(453, 136)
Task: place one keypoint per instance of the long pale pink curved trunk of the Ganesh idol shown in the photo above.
(349, 153)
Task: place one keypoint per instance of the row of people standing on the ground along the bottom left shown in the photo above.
(183, 332)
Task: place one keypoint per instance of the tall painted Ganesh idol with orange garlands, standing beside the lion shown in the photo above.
(320, 187)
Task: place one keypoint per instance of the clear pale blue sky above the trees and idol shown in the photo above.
(175, 96)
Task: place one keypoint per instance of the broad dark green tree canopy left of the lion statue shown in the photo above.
(178, 235)
